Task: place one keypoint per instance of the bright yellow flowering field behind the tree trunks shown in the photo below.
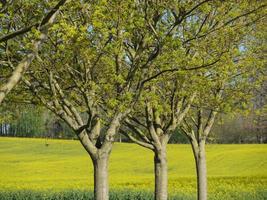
(235, 171)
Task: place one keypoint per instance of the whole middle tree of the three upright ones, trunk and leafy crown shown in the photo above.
(204, 39)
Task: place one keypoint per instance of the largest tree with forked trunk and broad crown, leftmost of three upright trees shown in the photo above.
(107, 62)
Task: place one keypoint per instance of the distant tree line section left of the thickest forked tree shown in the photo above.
(33, 121)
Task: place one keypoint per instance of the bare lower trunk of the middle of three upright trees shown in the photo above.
(161, 174)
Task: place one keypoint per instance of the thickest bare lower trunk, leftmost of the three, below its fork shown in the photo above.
(101, 189)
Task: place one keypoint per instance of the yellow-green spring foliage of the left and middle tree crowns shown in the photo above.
(103, 41)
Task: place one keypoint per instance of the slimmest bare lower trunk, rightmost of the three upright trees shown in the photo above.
(201, 172)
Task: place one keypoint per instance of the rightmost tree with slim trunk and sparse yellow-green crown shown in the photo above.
(227, 88)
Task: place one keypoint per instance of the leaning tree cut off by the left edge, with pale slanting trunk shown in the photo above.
(8, 11)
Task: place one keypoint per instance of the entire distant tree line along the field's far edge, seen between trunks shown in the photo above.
(34, 121)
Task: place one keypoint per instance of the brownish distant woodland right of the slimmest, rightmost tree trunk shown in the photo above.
(251, 128)
